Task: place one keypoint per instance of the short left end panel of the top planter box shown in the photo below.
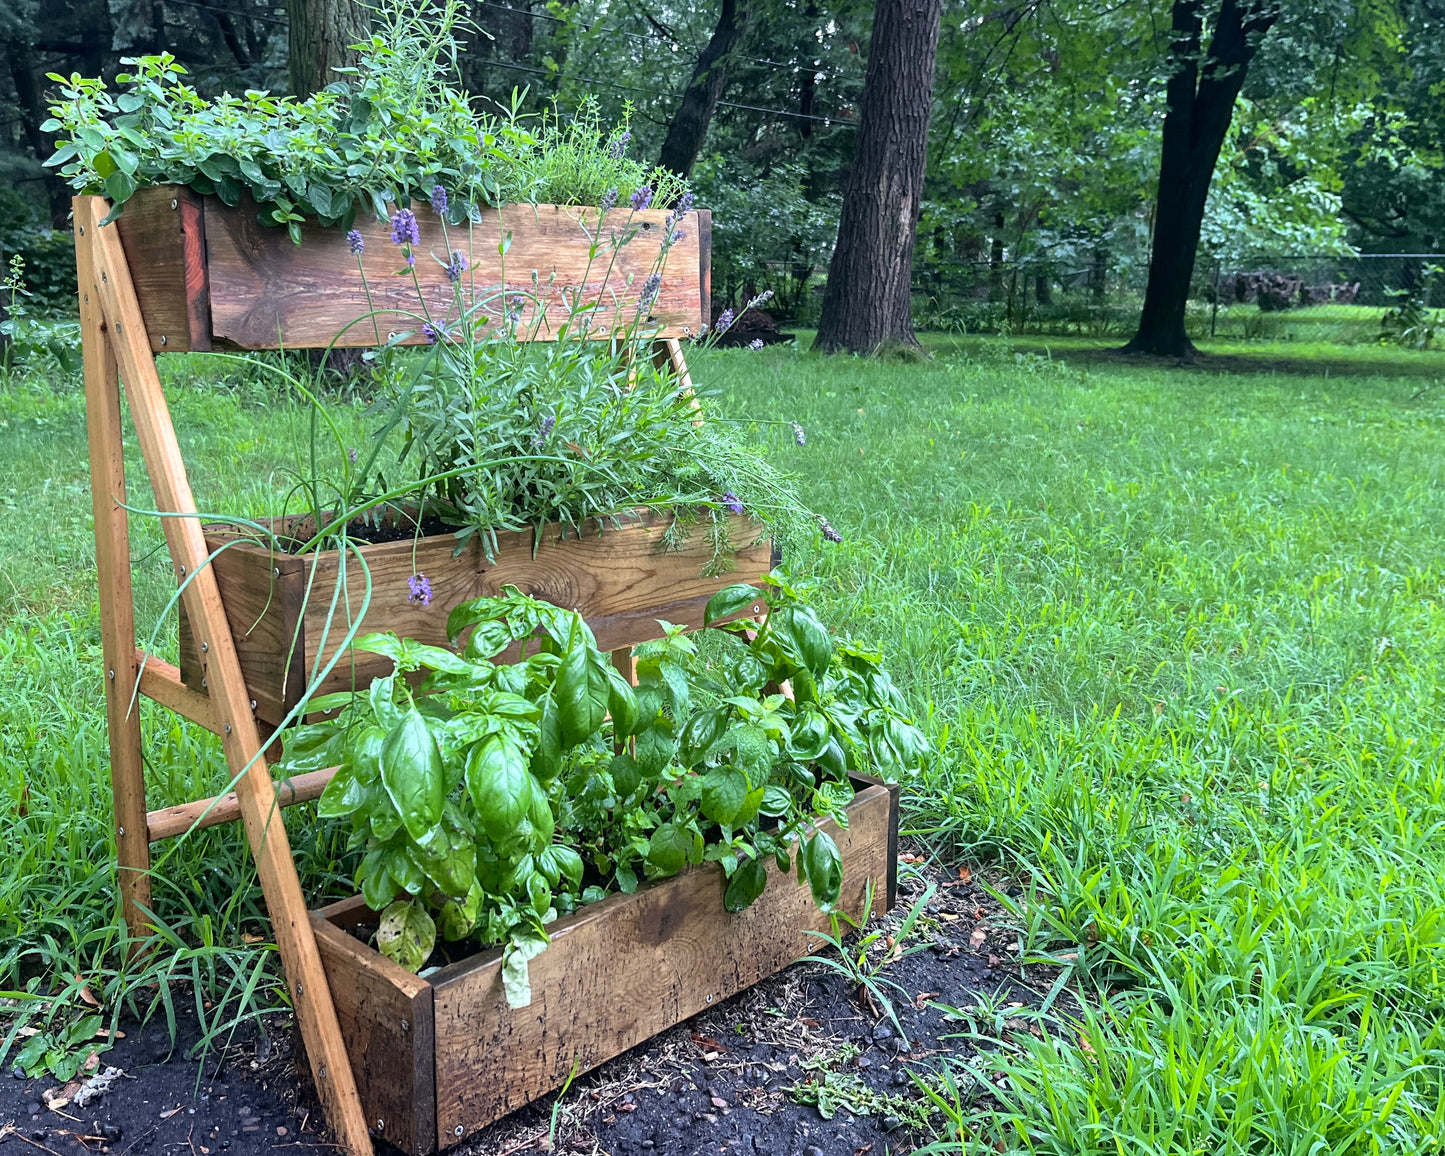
(154, 228)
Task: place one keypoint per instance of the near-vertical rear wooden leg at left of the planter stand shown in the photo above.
(118, 612)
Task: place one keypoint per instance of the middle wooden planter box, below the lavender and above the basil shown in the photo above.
(290, 621)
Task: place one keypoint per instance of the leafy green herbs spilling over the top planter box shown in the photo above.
(382, 138)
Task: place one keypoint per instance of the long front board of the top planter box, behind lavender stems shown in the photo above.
(269, 293)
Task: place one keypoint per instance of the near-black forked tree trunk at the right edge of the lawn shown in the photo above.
(1200, 108)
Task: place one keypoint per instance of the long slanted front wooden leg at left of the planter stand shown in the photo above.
(230, 703)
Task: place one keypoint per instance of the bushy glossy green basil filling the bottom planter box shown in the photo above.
(524, 777)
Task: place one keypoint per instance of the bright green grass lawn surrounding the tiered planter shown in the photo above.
(1178, 635)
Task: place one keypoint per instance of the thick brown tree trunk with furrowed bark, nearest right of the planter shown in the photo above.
(869, 296)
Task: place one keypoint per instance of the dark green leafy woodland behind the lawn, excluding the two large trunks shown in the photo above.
(1044, 151)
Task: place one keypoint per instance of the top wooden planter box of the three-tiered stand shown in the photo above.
(213, 277)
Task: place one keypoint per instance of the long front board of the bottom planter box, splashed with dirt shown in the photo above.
(626, 969)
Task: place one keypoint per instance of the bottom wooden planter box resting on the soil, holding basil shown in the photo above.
(439, 1058)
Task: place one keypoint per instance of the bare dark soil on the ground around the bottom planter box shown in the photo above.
(741, 1079)
